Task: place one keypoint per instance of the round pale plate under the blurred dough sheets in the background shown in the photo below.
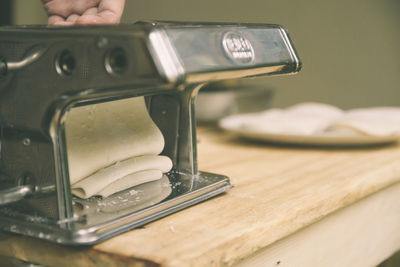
(332, 138)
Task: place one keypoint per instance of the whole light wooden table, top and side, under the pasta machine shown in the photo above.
(291, 206)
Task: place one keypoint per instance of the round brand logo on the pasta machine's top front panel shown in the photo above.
(238, 48)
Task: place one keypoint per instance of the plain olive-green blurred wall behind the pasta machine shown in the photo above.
(350, 49)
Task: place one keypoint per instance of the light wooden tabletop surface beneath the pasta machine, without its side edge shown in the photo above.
(278, 190)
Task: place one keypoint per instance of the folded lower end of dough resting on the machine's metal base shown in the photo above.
(122, 175)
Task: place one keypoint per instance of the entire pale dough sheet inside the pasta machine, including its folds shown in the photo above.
(109, 142)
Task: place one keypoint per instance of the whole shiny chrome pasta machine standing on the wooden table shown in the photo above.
(48, 72)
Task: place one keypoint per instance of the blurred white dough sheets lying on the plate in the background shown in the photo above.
(316, 118)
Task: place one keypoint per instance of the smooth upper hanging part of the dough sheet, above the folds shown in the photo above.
(100, 135)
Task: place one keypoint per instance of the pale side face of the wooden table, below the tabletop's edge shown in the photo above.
(362, 234)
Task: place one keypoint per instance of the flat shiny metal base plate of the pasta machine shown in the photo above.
(97, 219)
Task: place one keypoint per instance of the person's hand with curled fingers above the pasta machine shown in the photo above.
(70, 12)
